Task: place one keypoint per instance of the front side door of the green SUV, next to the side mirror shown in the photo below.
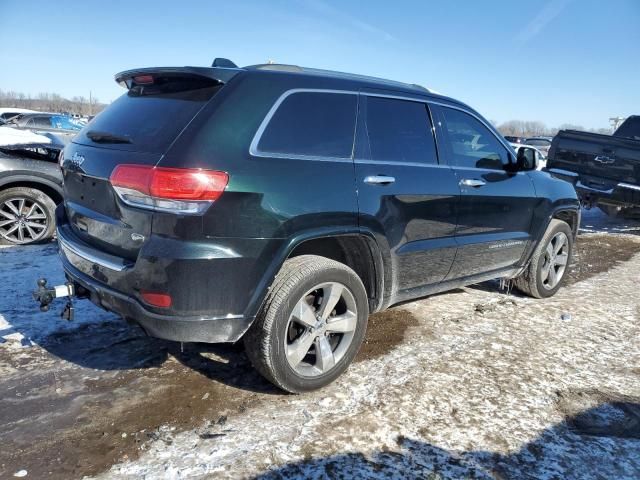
(496, 203)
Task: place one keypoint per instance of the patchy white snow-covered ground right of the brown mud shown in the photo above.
(482, 387)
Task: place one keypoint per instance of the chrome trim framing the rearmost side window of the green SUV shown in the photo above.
(255, 152)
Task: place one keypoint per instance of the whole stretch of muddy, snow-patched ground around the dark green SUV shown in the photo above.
(473, 383)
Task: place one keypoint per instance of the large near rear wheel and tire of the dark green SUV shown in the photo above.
(311, 325)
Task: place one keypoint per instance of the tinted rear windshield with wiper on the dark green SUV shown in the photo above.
(149, 118)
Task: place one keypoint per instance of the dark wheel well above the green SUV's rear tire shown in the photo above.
(351, 250)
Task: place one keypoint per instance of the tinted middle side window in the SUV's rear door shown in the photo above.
(399, 131)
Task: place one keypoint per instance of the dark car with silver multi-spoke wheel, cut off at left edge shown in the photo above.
(30, 189)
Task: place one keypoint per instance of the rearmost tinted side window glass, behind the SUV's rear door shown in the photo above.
(312, 123)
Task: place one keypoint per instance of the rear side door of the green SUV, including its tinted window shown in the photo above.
(405, 195)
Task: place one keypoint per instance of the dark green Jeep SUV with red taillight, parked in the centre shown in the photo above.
(283, 205)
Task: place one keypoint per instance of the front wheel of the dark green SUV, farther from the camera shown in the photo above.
(547, 269)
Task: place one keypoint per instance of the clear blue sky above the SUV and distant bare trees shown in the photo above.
(557, 61)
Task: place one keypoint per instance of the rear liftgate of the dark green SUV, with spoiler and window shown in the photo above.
(136, 129)
